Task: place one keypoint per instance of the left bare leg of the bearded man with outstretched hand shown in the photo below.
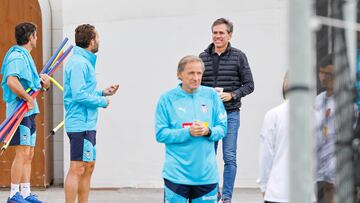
(75, 173)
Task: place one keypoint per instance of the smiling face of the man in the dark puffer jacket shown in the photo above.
(221, 36)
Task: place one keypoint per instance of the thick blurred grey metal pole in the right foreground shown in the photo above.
(301, 94)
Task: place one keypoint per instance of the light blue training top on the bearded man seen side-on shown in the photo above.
(81, 99)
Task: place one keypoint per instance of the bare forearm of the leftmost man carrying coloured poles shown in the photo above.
(16, 87)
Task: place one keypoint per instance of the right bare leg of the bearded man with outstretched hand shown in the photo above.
(84, 184)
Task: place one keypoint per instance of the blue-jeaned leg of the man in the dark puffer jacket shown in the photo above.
(229, 154)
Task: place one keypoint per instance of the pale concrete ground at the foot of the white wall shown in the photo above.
(126, 195)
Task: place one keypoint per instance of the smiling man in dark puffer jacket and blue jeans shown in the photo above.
(227, 69)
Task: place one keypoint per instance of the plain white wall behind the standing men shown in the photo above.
(141, 43)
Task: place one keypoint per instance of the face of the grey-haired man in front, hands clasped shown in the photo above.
(191, 76)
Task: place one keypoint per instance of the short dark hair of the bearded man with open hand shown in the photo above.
(84, 34)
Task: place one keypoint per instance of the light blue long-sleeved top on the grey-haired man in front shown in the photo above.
(190, 160)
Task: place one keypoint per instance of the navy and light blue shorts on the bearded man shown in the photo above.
(82, 146)
